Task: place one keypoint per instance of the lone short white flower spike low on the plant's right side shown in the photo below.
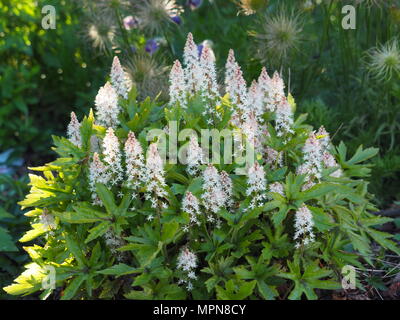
(303, 227)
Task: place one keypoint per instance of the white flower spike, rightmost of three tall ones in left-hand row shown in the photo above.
(154, 178)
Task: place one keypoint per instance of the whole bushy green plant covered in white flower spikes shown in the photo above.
(116, 215)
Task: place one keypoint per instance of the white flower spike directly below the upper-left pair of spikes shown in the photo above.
(112, 156)
